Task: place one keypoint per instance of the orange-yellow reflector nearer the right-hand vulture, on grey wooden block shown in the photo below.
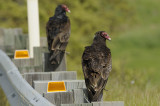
(56, 86)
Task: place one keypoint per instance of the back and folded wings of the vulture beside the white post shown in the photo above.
(58, 32)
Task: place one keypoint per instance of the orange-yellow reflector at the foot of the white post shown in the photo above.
(21, 54)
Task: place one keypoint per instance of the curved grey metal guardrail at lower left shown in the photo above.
(17, 90)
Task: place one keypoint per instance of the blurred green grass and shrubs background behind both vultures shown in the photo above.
(134, 26)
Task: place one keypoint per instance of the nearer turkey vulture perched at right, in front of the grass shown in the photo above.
(97, 64)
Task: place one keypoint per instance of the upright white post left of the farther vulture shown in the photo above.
(33, 25)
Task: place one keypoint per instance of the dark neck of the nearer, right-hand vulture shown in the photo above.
(99, 41)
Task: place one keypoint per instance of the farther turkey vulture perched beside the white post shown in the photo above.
(58, 32)
